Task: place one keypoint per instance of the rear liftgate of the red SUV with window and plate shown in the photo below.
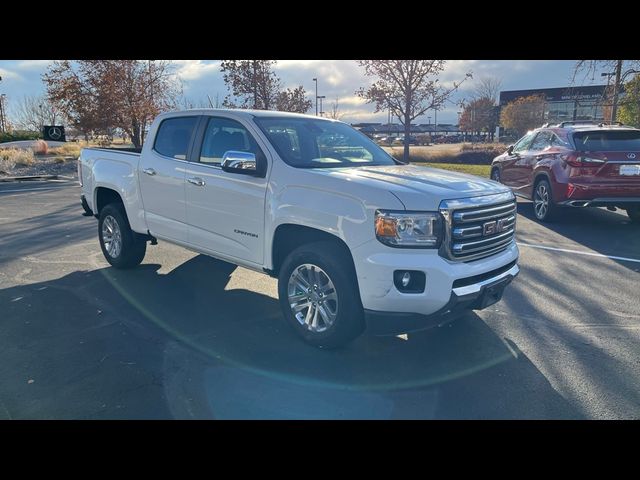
(610, 161)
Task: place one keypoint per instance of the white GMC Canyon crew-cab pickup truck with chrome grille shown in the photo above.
(356, 239)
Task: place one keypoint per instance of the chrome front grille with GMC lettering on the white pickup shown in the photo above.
(478, 227)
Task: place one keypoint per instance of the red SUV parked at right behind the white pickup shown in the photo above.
(574, 164)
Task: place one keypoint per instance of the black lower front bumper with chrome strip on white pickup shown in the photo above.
(475, 296)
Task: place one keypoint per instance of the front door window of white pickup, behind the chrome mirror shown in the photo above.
(222, 135)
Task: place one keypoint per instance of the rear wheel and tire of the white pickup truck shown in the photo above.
(122, 247)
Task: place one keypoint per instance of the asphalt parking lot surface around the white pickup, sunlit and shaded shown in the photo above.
(187, 336)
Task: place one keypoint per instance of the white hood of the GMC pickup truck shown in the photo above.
(419, 188)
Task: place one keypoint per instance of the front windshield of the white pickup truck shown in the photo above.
(310, 143)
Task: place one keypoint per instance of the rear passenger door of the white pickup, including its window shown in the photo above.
(162, 178)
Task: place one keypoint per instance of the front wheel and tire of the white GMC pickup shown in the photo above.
(319, 295)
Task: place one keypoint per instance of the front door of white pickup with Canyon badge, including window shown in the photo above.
(225, 211)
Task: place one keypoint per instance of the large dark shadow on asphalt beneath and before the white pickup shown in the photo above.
(141, 344)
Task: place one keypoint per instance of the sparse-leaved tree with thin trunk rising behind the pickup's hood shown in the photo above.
(408, 87)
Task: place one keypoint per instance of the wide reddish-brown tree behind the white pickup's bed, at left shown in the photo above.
(100, 95)
